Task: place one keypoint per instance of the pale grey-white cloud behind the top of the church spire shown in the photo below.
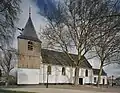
(36, 18)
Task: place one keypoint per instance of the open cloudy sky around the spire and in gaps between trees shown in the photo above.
(39, 22)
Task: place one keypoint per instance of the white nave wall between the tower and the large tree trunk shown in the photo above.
(56, 74)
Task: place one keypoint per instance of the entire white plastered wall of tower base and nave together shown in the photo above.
(36, 76)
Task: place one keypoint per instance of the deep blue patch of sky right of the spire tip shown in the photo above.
(50, 9)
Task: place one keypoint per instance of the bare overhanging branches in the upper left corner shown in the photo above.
(9, 10)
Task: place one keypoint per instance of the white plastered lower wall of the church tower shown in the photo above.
(27, 76)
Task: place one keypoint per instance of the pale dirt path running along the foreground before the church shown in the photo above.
(66, 89)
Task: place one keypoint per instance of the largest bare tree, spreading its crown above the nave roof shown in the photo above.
(73, 24)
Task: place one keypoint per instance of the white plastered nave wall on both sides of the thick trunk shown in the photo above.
(57, 77)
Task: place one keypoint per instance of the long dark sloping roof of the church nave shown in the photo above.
(59, 58)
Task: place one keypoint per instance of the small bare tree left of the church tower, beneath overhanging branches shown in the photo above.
(7, 62)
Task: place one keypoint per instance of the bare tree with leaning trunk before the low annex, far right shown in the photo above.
(106, 38)
